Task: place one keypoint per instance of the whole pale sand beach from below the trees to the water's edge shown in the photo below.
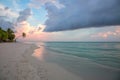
(17, 63)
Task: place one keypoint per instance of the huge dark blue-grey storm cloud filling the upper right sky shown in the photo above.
(78, 14)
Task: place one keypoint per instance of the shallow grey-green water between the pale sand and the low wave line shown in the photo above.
(82, 67)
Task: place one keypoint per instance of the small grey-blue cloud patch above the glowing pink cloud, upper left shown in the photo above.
(24, 15)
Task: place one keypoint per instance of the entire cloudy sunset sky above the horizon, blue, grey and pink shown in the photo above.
(62, 20)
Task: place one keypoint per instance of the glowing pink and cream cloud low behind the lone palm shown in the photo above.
(32, 32)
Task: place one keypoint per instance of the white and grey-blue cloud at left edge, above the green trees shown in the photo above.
(7, 16)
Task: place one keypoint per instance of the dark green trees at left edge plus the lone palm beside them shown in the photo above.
(8, 35)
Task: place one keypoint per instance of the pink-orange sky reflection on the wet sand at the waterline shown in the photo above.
(38, 53)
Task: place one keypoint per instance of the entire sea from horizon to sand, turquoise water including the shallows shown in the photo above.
(89, 60)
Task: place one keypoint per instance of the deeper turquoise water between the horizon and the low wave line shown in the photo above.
(102, 53)
